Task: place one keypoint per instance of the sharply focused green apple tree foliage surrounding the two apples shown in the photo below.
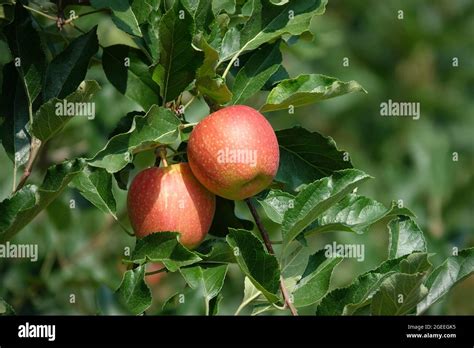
(219, 52)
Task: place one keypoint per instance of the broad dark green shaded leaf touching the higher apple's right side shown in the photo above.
(307, 156)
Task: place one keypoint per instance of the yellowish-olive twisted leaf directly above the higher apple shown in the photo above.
(208, 82)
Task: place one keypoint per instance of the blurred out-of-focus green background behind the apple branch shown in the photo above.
(406, 60)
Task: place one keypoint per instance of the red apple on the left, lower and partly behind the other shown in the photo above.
(170, 199)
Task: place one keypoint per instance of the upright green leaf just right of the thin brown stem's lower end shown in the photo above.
(314, 284)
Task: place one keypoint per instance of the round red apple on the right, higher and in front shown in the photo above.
(228, 131)
